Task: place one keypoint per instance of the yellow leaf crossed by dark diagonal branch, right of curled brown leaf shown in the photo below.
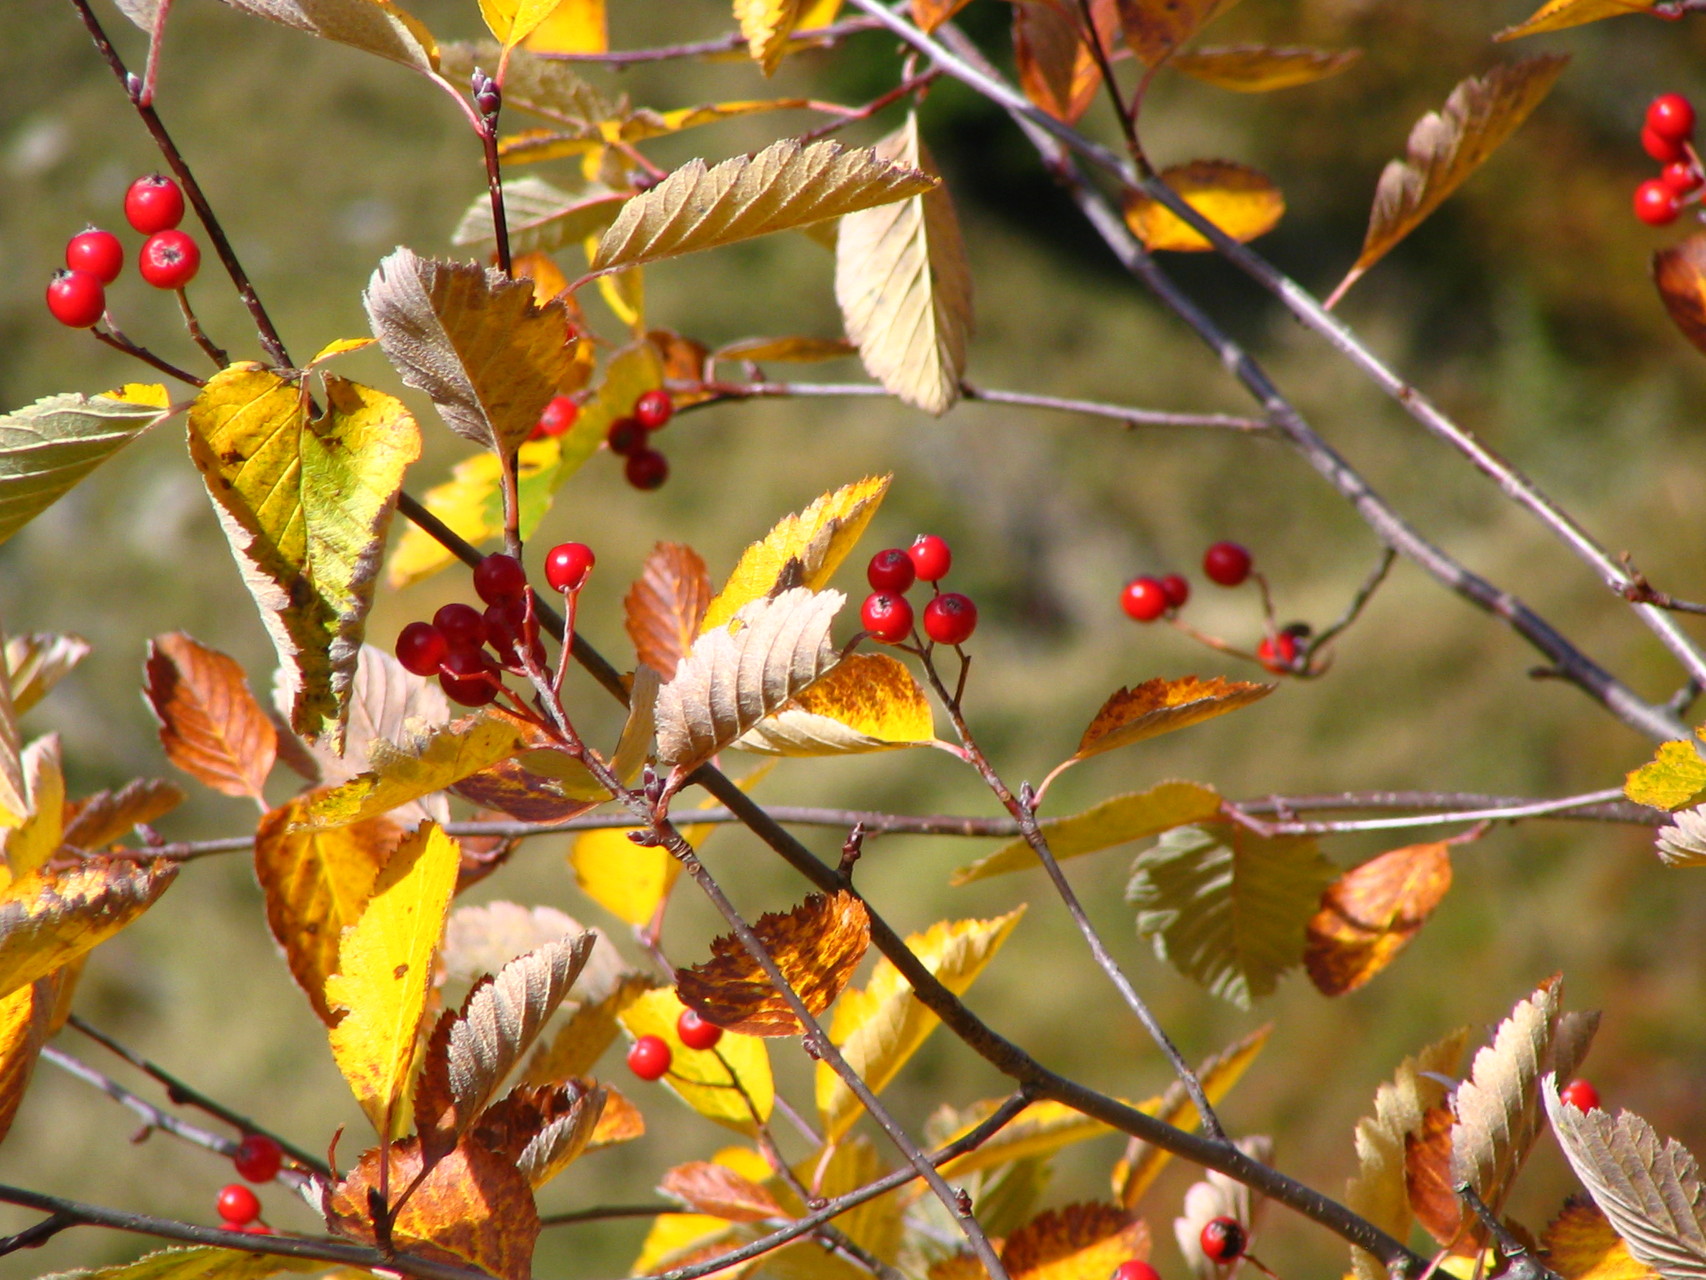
(881, 1027)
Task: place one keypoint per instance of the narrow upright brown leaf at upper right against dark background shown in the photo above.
(1448, 146)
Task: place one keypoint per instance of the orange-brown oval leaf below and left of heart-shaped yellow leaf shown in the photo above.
(211, 724)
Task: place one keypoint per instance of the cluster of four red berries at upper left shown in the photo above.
(95, 259)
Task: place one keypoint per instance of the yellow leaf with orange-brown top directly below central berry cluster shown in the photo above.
(869, 702)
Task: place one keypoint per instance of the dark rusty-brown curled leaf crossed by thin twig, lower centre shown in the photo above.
(816, 946)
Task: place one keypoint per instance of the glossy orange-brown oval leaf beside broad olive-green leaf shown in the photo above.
(1372, 912)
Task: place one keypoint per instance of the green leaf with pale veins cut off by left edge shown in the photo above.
(52, 445)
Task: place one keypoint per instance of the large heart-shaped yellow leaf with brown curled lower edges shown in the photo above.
(306, 504)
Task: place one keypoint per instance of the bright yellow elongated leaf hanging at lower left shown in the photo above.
(385, 972)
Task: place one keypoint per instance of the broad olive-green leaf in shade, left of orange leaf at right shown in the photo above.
(1227, 907)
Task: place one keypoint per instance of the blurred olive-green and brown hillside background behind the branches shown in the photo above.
(1524, 308)
